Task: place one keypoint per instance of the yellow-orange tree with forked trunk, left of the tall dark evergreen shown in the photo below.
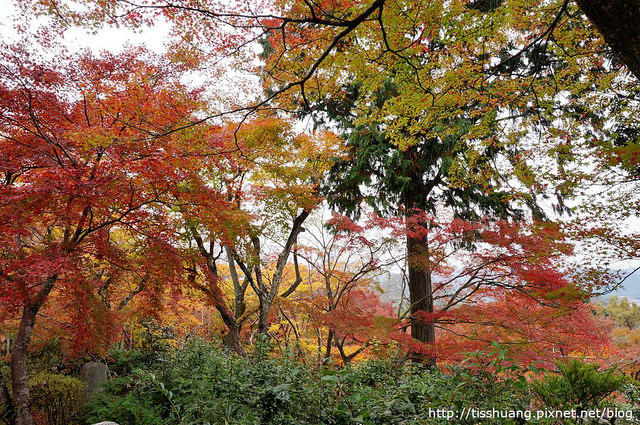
(283, 171)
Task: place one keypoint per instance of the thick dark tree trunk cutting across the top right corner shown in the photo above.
(617, 21)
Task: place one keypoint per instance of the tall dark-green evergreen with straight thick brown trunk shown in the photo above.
(406, 181)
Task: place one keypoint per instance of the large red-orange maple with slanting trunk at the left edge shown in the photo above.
(82, 157)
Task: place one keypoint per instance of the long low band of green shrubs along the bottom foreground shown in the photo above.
(202, 384)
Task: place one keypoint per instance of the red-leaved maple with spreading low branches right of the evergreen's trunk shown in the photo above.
(505, 282)
